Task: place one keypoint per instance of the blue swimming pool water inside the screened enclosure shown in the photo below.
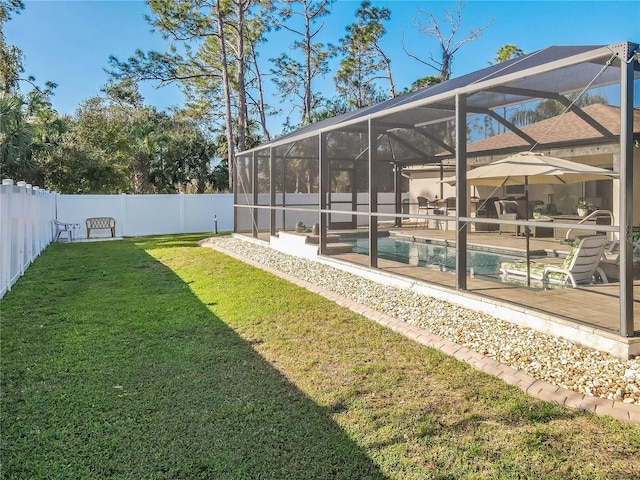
(440, 257)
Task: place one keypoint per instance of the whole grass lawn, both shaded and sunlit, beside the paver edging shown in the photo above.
(152, 358)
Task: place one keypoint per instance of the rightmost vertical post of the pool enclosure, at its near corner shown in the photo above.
(626, 189)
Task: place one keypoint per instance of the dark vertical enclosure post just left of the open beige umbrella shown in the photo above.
(461, 192)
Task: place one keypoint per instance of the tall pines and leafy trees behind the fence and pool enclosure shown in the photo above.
(116, 143)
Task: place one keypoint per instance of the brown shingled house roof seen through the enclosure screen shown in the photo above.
(563, 128)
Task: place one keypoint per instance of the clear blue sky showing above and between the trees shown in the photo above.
(69, 42)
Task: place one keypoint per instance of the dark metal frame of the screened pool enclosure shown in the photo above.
(626, 53)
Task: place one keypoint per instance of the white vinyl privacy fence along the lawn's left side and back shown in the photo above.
(27, 214)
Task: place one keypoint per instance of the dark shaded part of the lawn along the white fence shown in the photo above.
(112, 367)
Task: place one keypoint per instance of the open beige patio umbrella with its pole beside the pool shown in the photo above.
(528, 168)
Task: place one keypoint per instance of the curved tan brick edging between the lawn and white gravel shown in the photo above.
(532, 386)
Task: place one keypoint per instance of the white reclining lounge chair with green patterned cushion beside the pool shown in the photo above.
(579, 267)
